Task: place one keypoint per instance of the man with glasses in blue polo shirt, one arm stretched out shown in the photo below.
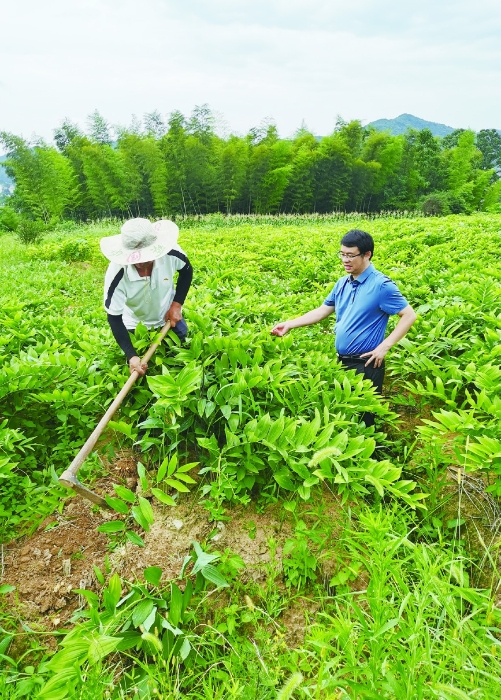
(363, 300)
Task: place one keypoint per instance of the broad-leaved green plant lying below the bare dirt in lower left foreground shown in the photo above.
(151, 619)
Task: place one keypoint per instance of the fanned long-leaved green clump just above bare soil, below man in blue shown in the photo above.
(292, 450)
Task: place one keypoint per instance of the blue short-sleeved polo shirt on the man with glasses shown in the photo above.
(363, 307)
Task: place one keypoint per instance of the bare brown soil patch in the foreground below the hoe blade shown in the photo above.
(59, 558)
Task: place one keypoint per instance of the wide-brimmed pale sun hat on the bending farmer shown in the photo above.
(140, 241)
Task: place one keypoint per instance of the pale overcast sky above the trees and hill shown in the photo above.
(291, 60)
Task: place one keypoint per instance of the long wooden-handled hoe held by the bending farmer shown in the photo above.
(69, 477)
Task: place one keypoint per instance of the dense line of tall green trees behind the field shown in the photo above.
(182, 166)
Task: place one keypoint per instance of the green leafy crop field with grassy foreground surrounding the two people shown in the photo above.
(391, 554)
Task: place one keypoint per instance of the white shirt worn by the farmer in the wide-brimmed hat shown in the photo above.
(144, 299)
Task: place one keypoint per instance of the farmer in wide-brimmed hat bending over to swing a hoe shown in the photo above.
(139, 282)
